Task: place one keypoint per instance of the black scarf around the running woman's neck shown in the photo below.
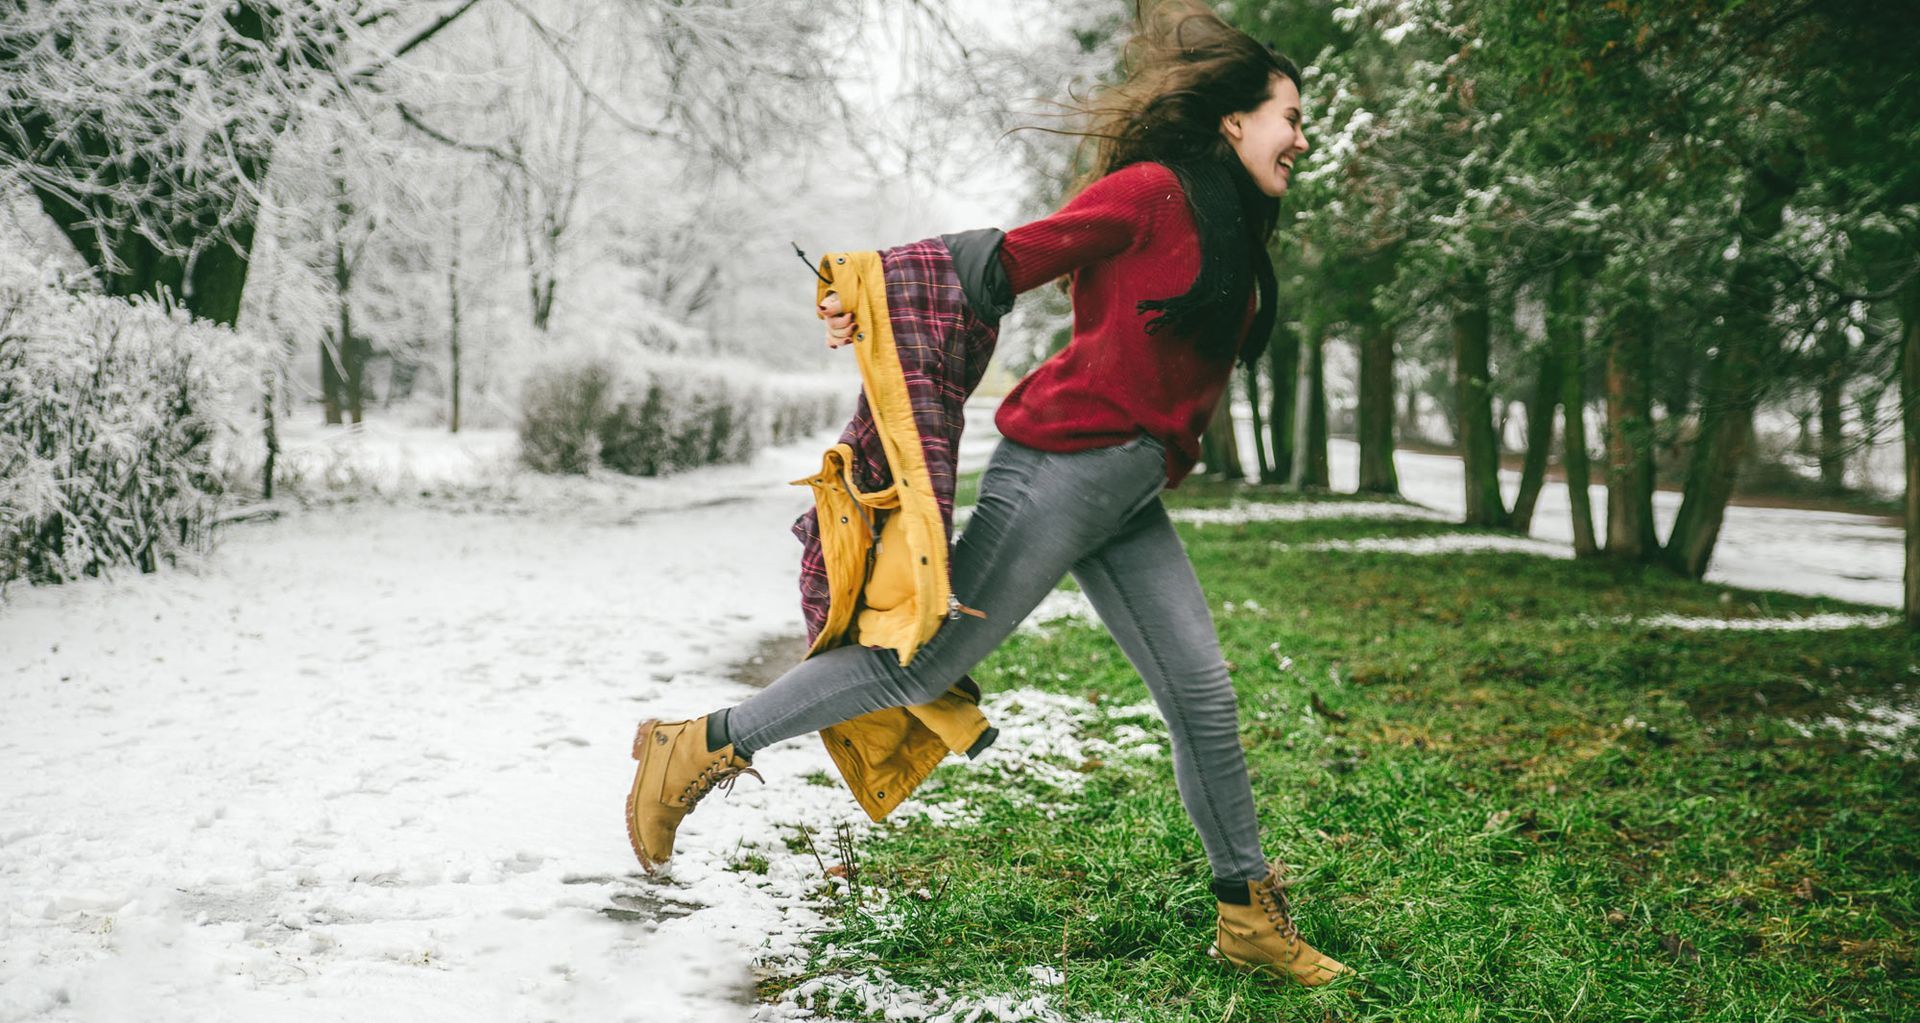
(1222, 199)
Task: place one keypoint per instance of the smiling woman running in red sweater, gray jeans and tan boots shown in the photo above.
(1170, 277)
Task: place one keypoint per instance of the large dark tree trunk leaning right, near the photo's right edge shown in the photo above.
(1735, 377)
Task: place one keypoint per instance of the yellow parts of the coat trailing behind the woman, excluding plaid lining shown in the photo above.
(886, 755)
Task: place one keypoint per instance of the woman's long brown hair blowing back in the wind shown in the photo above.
(1182, 72)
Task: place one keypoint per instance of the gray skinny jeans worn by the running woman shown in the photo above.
(1042, 515)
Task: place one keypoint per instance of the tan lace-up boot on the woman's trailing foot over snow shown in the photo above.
(675, 773)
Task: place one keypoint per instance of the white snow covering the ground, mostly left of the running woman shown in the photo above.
(366, 761)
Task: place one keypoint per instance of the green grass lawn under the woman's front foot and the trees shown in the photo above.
(1529, 813)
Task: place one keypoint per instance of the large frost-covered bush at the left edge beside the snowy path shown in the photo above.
(110, 417)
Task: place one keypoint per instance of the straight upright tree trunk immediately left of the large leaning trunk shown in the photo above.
(1631, 535)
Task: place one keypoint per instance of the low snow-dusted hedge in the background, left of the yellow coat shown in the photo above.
(650, 416)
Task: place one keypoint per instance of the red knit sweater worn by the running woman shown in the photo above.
(1126, 239)
